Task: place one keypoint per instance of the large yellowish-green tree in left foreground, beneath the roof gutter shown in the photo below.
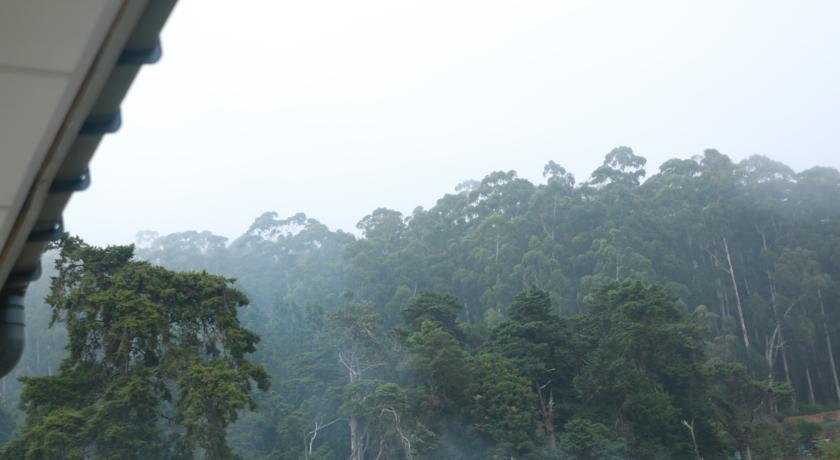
(147, 346)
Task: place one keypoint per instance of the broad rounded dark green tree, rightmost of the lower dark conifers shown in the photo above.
(644, 373)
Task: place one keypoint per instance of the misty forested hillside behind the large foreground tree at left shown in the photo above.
(679, 314)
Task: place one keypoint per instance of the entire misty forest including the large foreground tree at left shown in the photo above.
(681, 314)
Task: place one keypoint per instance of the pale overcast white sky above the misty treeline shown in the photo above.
(336, 107)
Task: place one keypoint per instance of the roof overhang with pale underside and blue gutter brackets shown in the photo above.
(65, 68)
